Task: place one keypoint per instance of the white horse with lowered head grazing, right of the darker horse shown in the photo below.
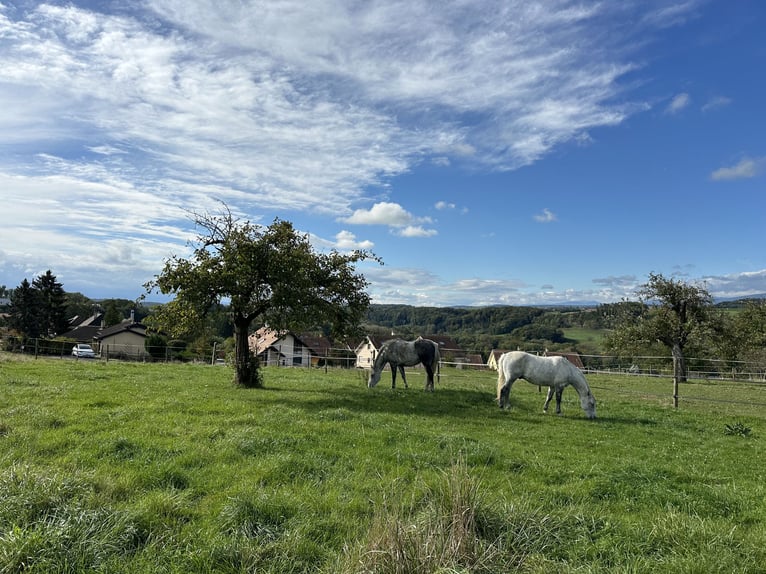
(552, 372)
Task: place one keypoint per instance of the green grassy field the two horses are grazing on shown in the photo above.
(151, 468)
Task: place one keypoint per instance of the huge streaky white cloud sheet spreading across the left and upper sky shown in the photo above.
(151, 107)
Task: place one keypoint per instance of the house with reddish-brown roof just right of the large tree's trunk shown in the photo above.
(288, 349)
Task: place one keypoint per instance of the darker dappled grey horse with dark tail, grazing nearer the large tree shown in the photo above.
(399, 353)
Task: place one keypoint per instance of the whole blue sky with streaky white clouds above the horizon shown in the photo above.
(490, 152)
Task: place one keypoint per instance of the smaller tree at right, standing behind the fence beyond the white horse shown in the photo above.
(675, 313)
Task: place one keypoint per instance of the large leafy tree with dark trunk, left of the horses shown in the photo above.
(270, 274)
